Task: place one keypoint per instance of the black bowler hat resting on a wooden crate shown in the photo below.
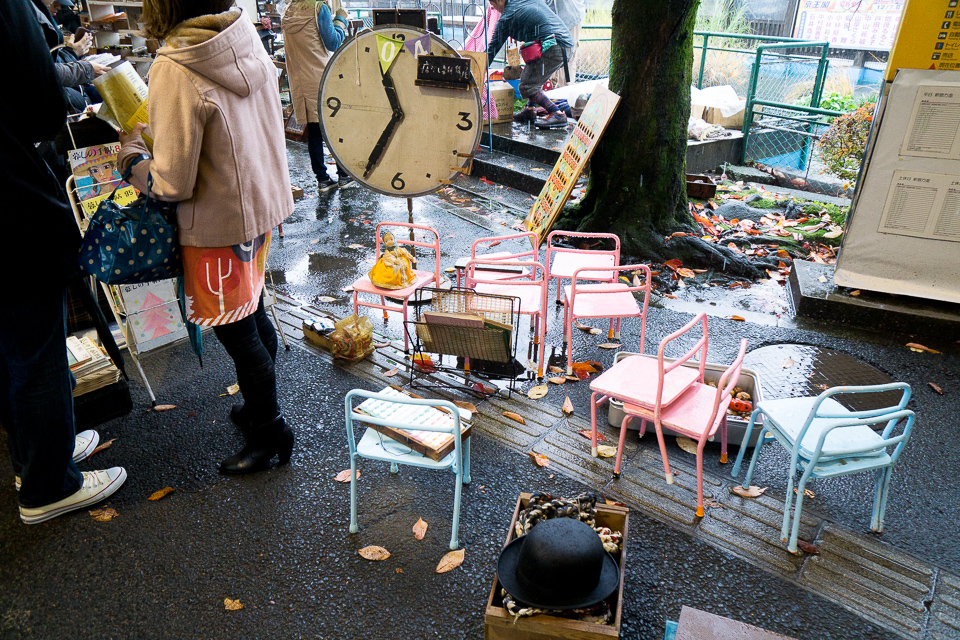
(560, 564)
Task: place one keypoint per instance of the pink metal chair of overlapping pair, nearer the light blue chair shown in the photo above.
(697, 414)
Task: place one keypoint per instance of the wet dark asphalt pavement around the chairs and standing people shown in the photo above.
(278, 541)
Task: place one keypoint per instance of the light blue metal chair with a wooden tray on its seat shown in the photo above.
(399, 411)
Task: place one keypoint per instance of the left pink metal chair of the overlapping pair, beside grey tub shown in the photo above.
(644, 381)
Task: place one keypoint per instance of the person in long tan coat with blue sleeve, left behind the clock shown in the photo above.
(311, 31)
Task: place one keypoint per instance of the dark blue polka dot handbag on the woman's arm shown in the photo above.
(133, 243)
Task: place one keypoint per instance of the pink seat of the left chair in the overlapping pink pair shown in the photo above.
(634, 380)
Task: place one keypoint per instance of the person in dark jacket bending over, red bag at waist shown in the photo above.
(532, 21)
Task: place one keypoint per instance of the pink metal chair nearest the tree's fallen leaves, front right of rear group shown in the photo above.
(614, 300)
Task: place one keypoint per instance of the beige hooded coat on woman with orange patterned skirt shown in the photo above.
(217, 126)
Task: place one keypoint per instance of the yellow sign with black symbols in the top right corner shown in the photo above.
(928, 38)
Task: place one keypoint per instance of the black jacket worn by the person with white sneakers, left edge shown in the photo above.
(40, 228)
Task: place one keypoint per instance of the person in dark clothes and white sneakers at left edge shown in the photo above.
(36, 388)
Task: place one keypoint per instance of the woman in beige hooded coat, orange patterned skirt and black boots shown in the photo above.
(219, 152)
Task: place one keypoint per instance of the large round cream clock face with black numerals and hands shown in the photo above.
(395, 137)
